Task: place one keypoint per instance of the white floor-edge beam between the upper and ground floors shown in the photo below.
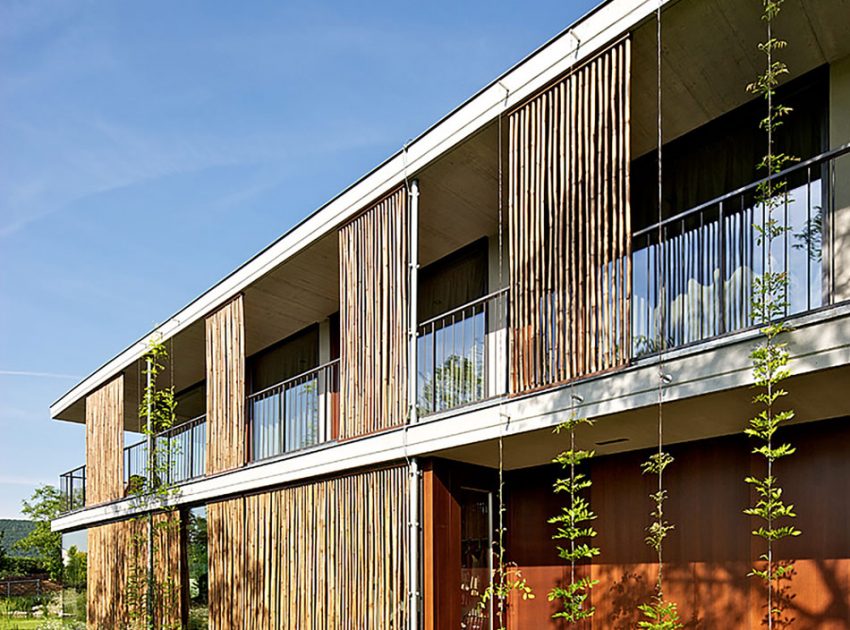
(827, 345)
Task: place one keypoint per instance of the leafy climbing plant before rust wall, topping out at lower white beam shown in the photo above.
(574, 526)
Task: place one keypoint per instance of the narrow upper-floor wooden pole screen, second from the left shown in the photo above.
(225, 344)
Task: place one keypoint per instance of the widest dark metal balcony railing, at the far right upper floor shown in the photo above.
(695, 271)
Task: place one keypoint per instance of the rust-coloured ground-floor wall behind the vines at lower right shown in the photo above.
(711, 549)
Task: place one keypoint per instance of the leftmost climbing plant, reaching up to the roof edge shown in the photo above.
(151, 595)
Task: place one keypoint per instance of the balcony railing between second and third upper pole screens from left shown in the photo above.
(297, 413)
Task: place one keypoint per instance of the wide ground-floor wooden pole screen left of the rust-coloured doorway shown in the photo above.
(329, 554)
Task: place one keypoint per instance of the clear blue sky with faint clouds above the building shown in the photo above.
(148, 148)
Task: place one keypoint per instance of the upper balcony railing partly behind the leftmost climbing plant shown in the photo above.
(180, 452)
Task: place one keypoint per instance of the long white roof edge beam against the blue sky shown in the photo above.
(591, 33)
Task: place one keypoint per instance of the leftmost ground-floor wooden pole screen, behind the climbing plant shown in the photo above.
(117, 573)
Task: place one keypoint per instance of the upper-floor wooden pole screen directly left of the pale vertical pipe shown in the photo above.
(374, 258)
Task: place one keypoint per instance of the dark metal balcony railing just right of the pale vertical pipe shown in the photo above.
(462, 355)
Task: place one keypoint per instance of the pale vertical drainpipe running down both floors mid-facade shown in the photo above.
(412, 371)
